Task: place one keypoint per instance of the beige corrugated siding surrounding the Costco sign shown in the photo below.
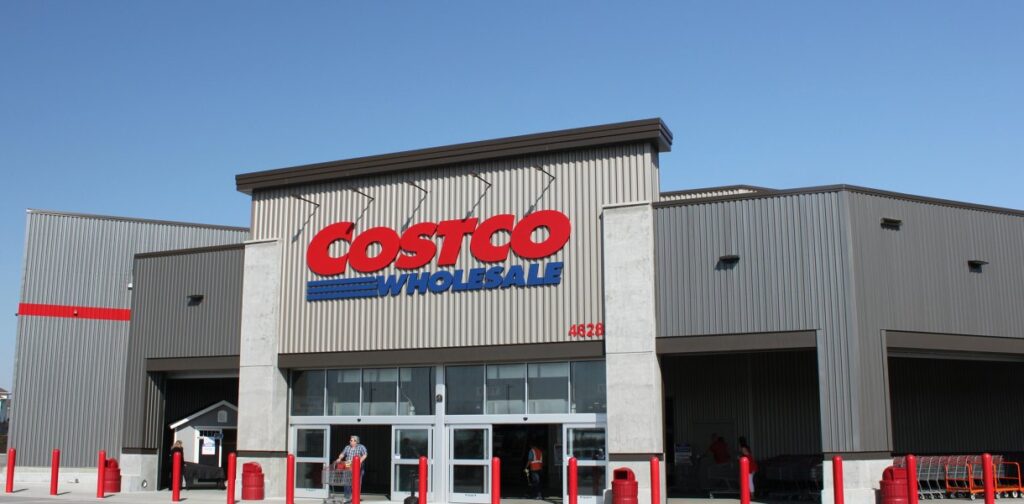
(585, 181)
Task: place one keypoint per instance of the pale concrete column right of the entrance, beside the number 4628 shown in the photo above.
(634, 376)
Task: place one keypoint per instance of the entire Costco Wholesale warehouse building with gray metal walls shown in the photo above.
(467, 302)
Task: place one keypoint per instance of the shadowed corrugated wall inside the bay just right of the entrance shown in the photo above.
(771, 398)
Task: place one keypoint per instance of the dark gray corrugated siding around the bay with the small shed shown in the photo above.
(166, 326)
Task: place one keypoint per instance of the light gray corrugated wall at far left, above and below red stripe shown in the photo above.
(69, 373)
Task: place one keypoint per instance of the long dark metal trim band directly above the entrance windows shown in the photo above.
(494, 354)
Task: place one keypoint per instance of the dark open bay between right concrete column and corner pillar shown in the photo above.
(770, 398)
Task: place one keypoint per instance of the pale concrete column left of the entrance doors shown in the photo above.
(263, 388)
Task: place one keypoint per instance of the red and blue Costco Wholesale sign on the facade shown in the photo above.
(418, 246)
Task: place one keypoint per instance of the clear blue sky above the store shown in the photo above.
(150, 109)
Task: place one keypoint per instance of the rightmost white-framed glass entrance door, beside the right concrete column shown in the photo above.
(589, 445)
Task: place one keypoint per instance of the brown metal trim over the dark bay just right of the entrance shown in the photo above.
(737, 343)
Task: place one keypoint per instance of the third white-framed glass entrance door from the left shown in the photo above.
(470, 474)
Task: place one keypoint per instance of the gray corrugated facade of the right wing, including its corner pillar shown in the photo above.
(821, 261)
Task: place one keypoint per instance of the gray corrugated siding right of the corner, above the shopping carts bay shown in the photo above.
(917, 279)
